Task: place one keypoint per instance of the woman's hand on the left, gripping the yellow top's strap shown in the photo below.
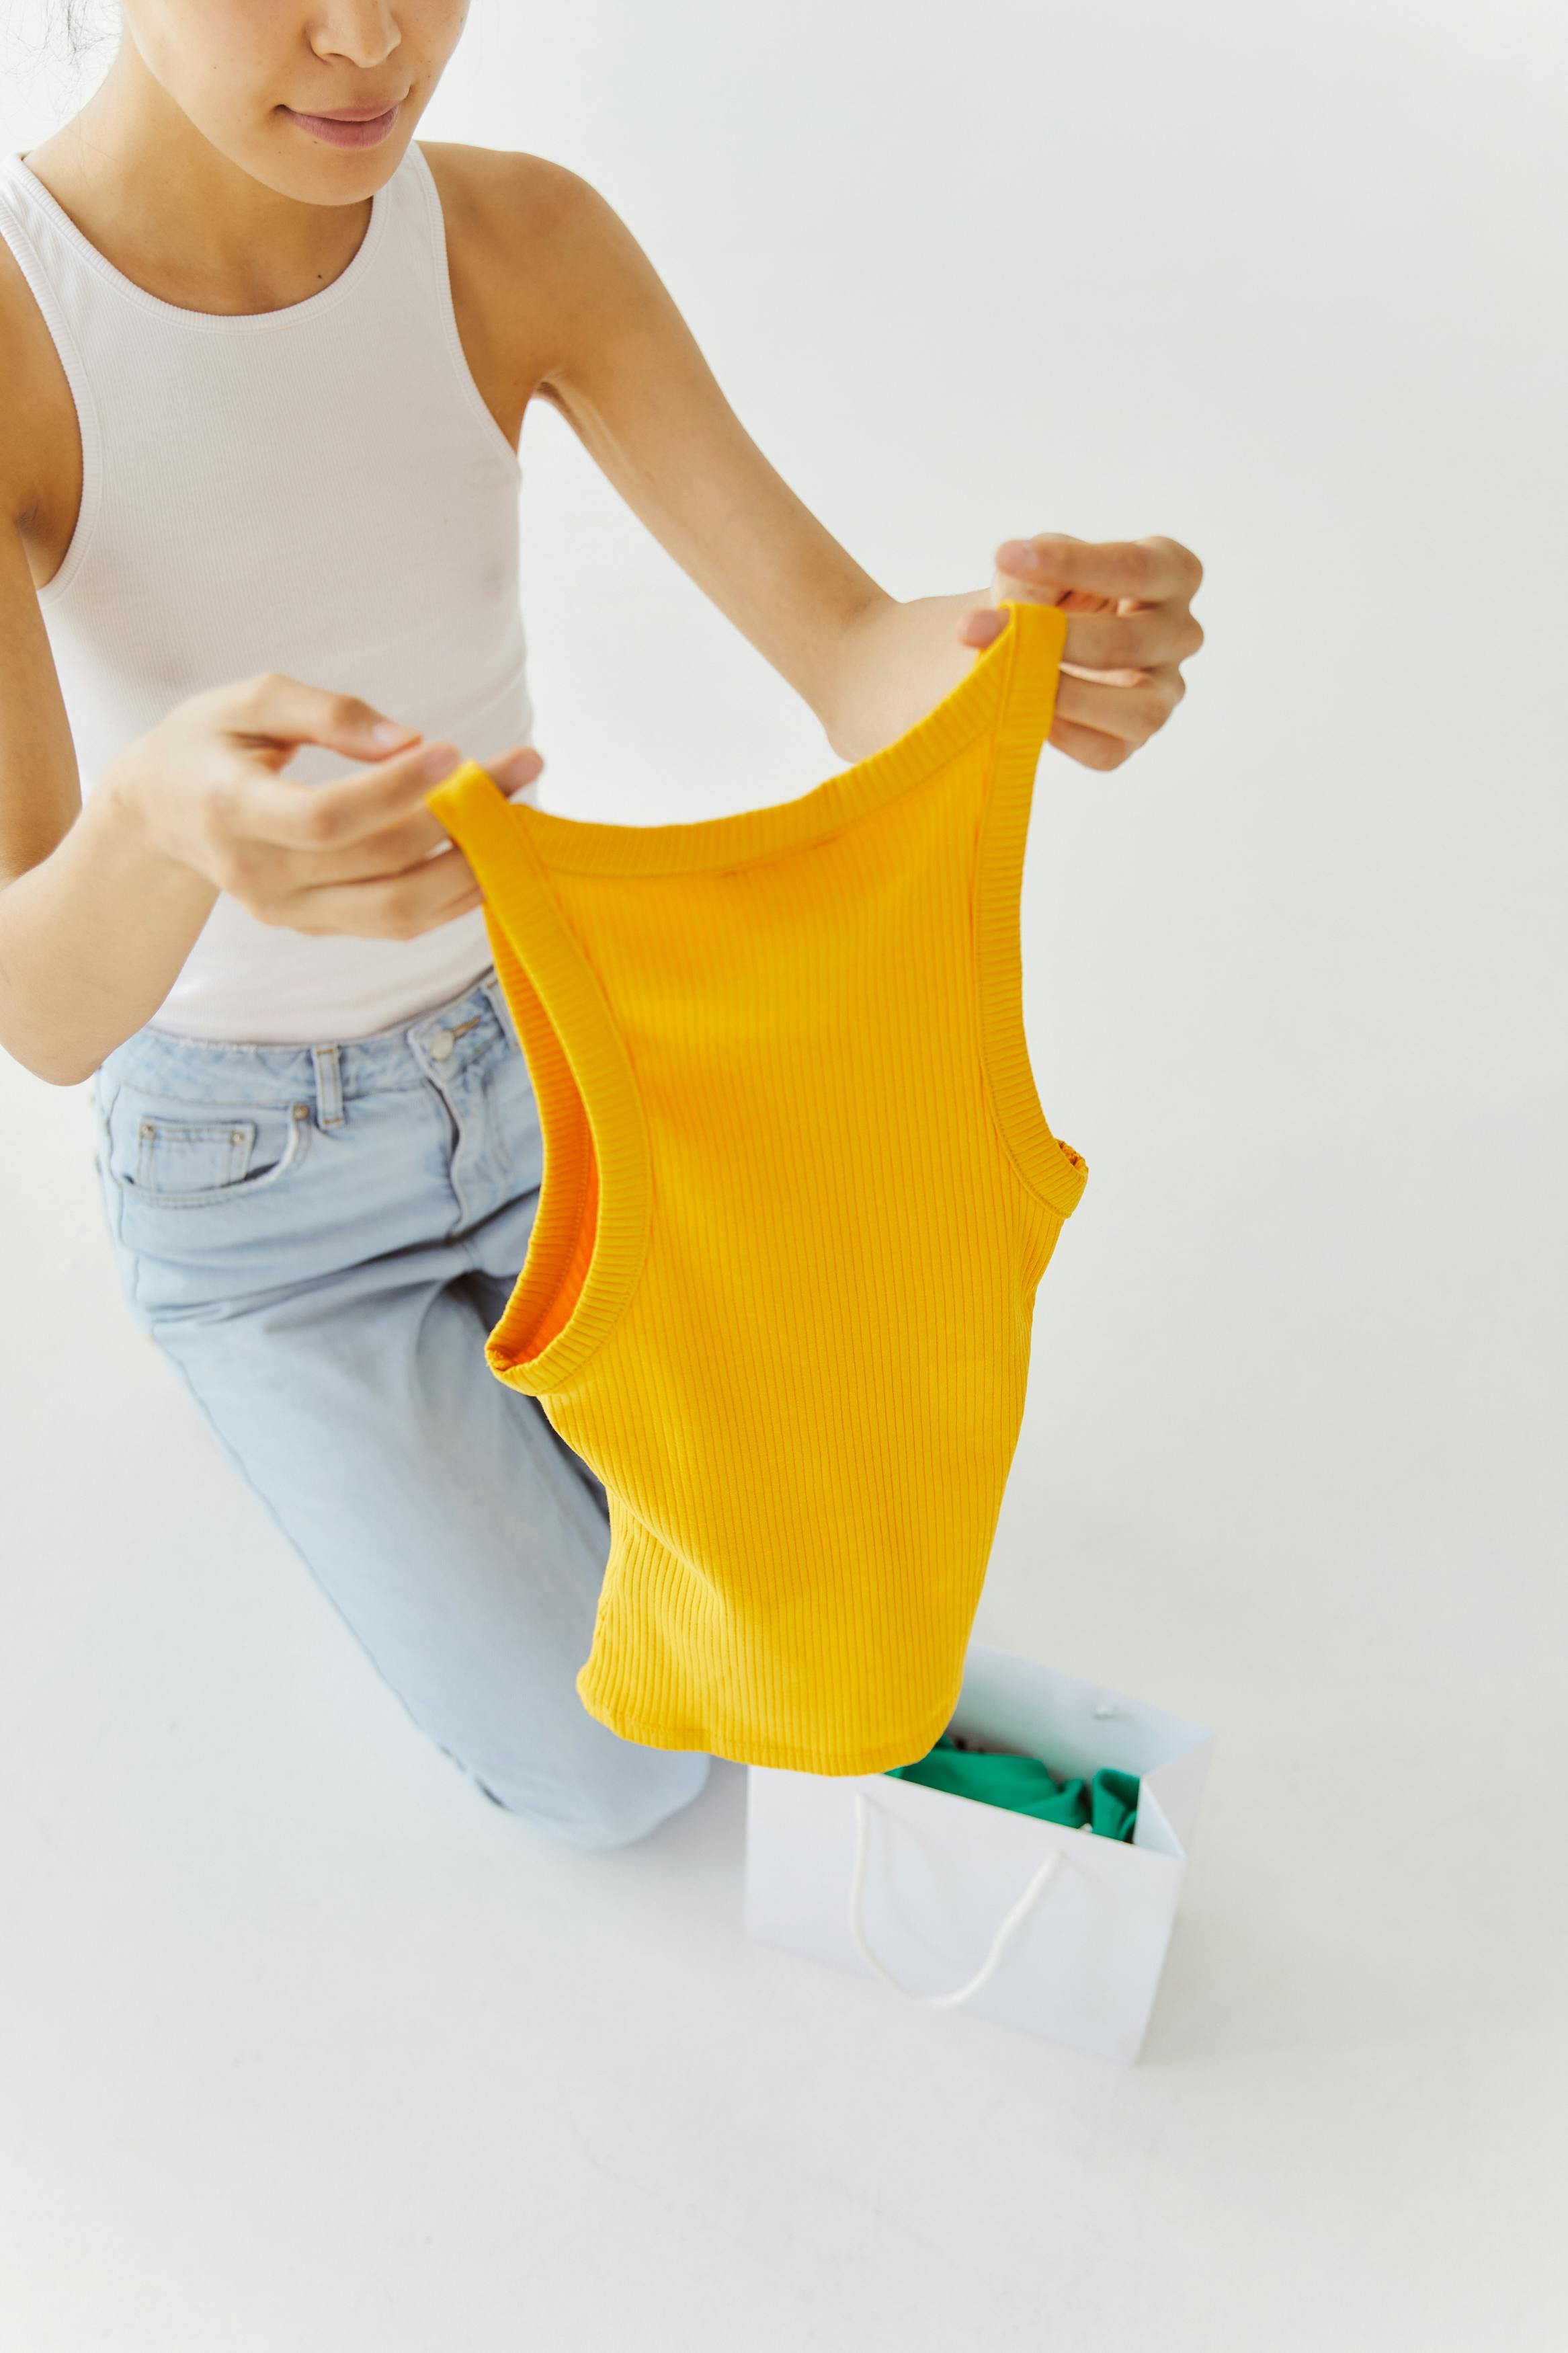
(335, 858)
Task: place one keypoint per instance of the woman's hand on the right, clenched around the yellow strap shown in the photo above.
(1130, 632)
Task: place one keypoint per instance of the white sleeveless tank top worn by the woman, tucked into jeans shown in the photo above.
(316, 491)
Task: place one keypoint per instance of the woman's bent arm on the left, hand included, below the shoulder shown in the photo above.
(100, 905)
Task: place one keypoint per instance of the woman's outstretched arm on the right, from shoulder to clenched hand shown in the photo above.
(601, 338)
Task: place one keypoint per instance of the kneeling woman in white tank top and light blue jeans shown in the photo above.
(269, 366)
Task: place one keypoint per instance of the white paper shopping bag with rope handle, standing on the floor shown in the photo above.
(972, 1907)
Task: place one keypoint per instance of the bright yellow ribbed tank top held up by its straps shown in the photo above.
(798, 1194)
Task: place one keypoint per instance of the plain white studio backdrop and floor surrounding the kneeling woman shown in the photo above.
(304, 2046)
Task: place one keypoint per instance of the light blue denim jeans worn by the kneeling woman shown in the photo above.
(321, 1239)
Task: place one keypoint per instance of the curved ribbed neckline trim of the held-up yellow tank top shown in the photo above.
(1010, 684)
